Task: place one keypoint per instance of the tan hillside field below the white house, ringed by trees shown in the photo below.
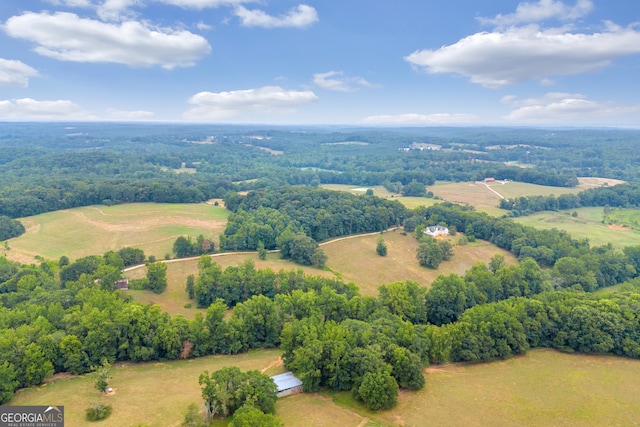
(356, 260)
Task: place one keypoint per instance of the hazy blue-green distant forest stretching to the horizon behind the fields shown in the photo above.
(51, 166)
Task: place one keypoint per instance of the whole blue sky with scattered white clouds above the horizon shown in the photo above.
(354, 62)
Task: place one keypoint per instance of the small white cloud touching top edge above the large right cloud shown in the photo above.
(542, 10)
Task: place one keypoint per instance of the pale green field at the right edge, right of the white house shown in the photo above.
(587, 225)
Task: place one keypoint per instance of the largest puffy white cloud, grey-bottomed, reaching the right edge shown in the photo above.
(518, 54)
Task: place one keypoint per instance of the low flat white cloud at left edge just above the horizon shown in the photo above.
(31, 109)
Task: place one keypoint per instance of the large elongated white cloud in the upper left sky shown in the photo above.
(67, 37)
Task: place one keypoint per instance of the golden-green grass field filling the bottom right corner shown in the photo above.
(543, 388)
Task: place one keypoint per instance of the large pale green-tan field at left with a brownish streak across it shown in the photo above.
(91, 230)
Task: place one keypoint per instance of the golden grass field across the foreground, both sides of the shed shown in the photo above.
(542, 388)
